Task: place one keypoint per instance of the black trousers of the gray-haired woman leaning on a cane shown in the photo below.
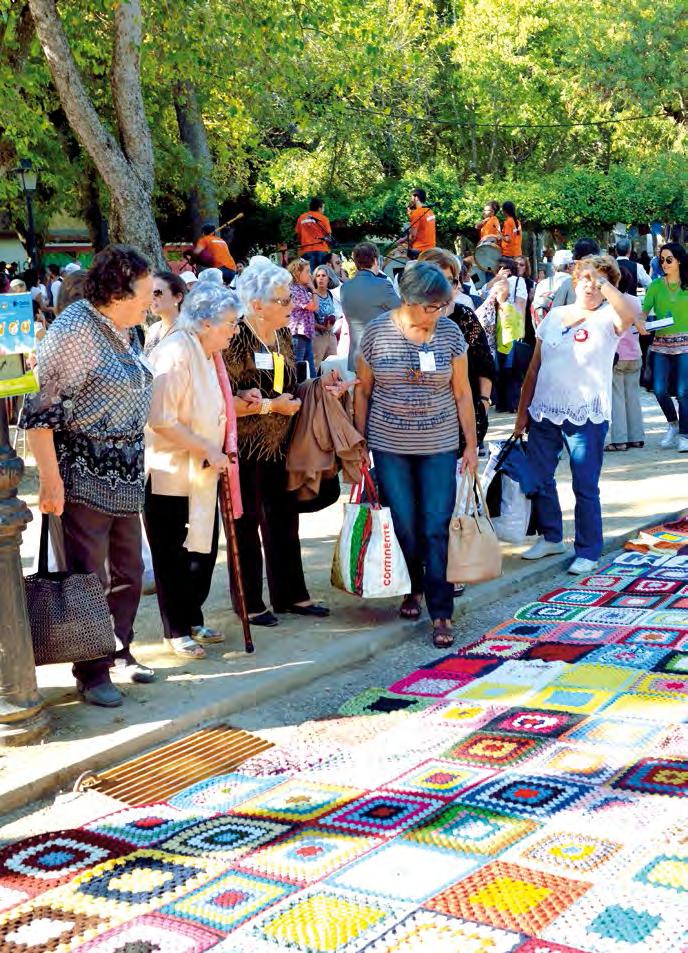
(182, 578)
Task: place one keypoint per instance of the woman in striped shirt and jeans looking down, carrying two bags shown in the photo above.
(413, 400)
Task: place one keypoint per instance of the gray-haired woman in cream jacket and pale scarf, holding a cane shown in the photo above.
(185, 440)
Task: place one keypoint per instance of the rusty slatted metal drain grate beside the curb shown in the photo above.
(165, 771)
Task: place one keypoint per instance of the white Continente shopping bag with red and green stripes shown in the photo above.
(368, 560)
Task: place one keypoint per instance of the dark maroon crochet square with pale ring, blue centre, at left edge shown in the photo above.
(47, 860)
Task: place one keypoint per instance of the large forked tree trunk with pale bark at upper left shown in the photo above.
(127, 170)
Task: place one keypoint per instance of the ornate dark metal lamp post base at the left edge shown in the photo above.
(22, 718)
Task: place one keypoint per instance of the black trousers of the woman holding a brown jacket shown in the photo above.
(270, 514)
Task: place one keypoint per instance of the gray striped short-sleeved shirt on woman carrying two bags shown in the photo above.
(411, 411)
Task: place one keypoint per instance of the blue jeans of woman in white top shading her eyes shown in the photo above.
(585, 446)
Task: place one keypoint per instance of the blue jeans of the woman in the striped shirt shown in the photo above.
(420, 491)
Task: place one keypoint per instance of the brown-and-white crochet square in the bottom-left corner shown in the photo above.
(43, 928)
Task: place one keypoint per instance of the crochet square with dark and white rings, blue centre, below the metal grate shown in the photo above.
(224, 837)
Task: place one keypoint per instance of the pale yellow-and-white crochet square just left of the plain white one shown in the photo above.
(307, 855)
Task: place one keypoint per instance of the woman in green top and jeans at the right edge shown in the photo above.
(667, 297)
